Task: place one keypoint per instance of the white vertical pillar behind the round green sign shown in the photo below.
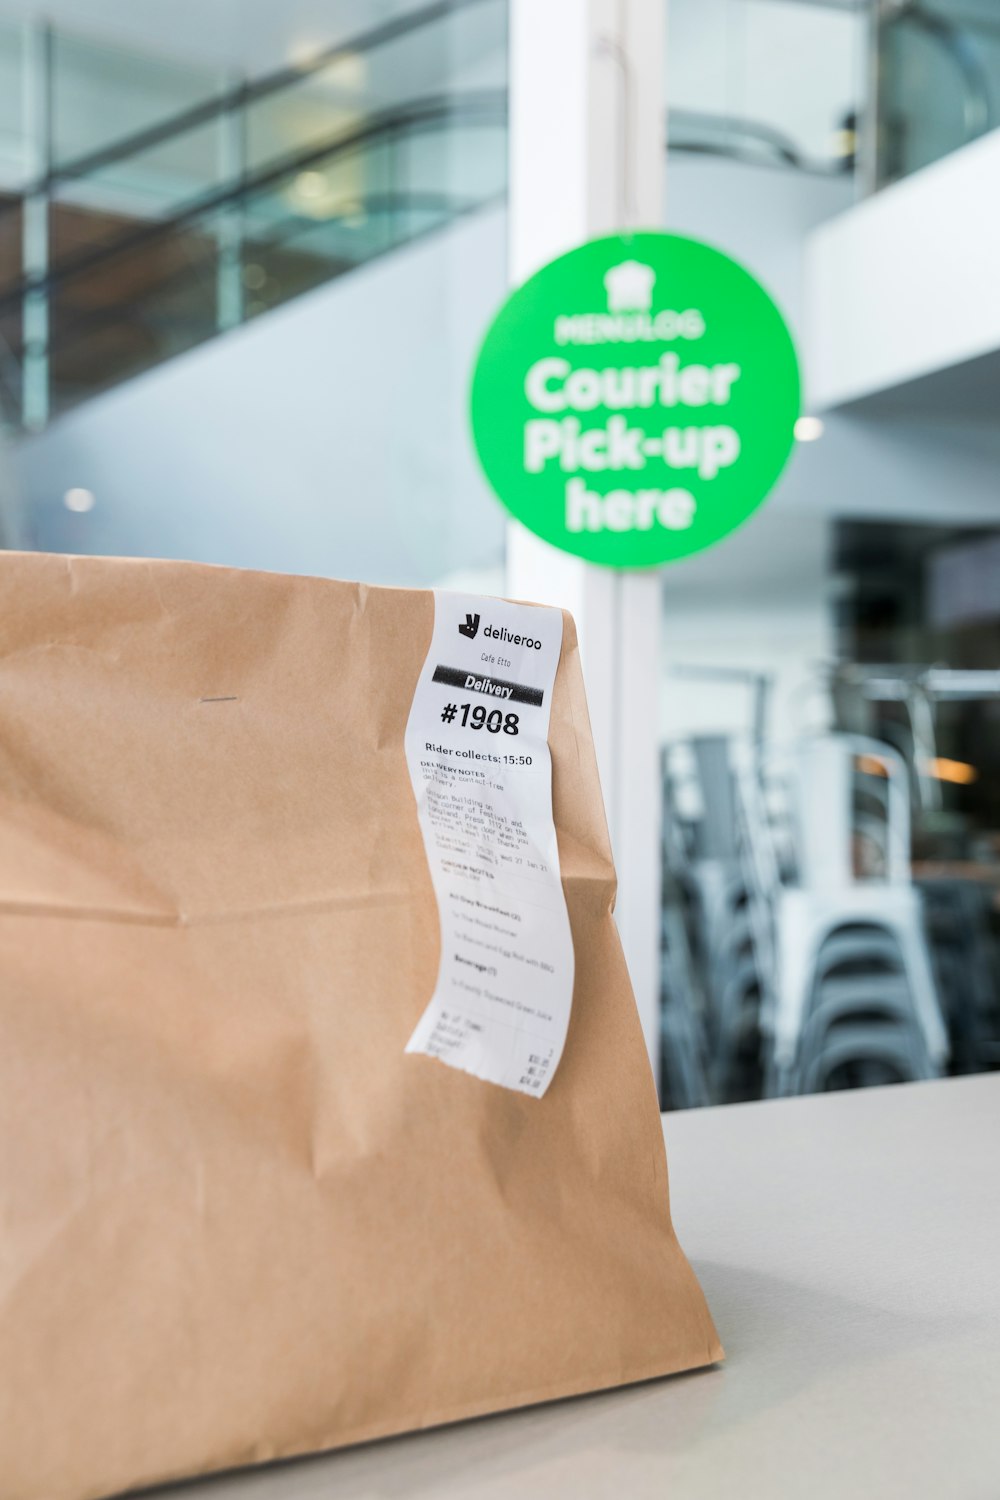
(587, 157)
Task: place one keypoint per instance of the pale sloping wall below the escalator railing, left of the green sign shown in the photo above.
(328, 437)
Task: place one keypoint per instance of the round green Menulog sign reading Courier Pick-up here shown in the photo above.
(635, 401)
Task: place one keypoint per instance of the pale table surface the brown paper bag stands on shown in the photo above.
(849, 1247)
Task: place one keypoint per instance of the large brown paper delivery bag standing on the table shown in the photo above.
(238, 1222)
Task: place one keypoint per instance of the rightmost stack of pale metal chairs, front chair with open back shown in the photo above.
(855, 998)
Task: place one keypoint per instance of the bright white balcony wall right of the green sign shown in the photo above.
(908, 283)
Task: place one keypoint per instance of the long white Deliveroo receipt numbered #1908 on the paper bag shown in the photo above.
(478, 748)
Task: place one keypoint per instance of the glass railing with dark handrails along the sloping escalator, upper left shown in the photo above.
(197, 221)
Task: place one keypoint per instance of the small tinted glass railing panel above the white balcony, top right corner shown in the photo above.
(938, 82)
